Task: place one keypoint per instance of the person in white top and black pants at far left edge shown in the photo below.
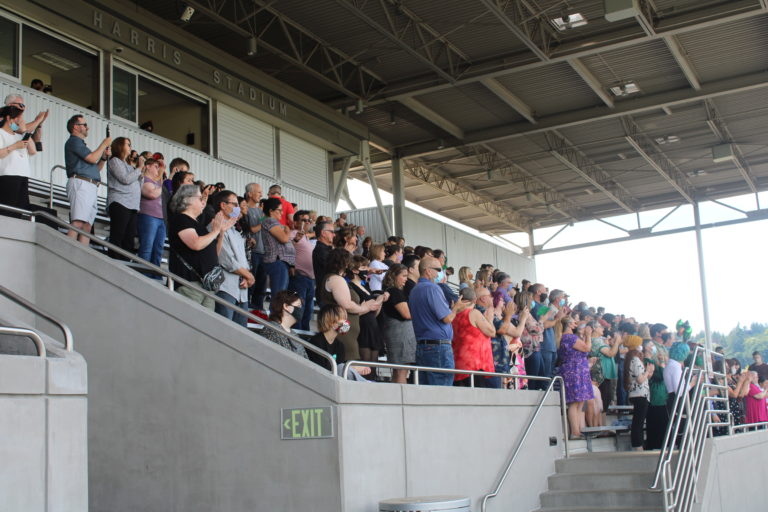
(14, 160)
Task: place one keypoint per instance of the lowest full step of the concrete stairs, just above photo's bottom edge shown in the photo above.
(603, 499)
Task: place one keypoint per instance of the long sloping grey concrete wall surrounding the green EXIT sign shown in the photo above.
(184, 408)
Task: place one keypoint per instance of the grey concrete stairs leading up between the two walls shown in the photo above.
(606, 482)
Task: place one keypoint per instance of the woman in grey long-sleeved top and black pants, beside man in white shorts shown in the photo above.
(123, 195)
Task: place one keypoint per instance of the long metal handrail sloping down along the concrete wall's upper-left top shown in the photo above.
(172, 277)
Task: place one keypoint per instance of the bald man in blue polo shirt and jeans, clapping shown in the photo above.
(432, 319)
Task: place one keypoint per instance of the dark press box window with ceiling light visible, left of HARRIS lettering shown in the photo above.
(71, 73)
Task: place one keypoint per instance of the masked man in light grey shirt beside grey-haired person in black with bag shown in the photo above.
(232, 258)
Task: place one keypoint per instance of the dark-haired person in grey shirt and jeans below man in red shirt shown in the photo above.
(279, 254)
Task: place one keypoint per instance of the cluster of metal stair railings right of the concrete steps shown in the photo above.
(690, 424)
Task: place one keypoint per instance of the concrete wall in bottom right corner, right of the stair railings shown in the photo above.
(734, 473)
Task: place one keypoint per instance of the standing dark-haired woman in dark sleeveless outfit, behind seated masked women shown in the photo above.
(335, 290)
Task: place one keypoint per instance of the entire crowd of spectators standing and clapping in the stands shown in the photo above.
(375, 297)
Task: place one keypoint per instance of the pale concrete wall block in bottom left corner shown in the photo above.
(43, 427)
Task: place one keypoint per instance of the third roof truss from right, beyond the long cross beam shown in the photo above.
(566, 153)
